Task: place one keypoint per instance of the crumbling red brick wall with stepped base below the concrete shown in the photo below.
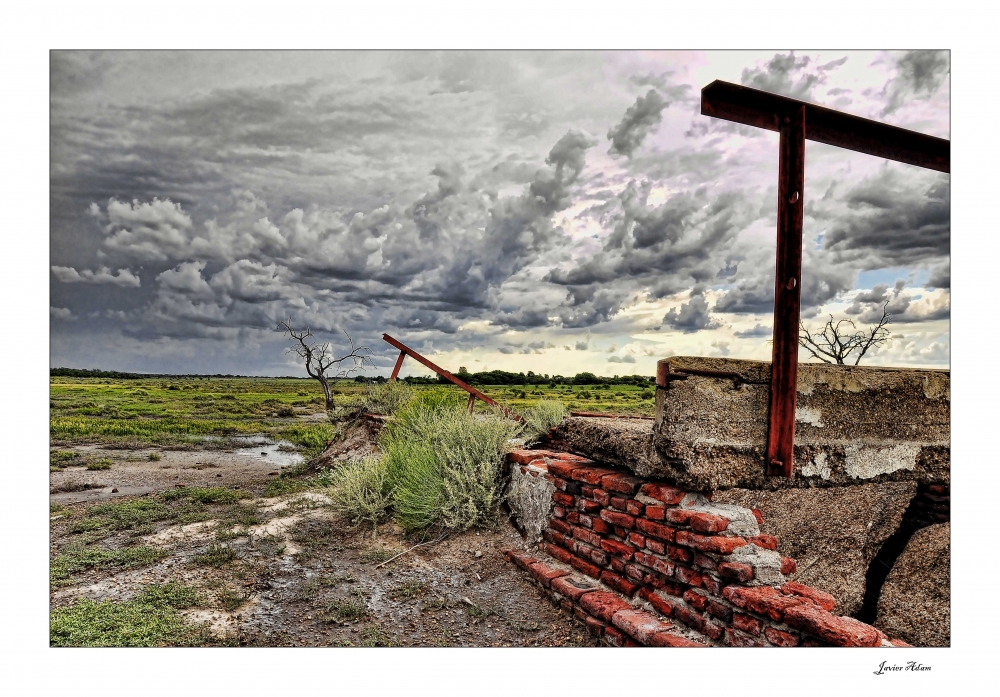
(672, 580)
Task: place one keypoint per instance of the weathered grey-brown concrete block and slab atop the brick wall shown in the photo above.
(856, 424)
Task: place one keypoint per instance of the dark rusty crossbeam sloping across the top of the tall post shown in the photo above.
(751, 107)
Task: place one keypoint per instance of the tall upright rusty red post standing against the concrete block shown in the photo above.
(787, 292)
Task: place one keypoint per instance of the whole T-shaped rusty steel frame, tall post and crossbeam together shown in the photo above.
(796, 122)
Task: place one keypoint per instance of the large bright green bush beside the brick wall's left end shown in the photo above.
(443, 464)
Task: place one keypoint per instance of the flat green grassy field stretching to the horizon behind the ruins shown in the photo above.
(177, 411)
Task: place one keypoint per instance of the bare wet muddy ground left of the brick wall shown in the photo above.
(293, 573)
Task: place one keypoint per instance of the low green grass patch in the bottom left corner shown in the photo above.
(150, 619)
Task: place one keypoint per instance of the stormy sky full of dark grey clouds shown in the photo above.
(552, 211)
